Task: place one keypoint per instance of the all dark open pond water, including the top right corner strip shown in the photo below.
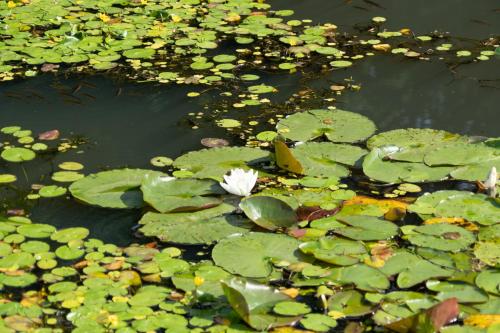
(128, 123)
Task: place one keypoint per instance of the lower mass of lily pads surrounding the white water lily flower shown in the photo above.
(302, 251)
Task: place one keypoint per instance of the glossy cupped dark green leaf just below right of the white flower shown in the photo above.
(268, 212)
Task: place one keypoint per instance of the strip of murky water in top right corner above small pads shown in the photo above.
(478, 19)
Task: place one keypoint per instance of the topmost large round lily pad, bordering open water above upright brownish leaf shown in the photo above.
(336, 125)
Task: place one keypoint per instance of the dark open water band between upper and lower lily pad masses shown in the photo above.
(125, 124)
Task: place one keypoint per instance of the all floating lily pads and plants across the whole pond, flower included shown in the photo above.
(319, 223)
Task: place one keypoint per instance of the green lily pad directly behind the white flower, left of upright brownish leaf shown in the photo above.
(215, 162)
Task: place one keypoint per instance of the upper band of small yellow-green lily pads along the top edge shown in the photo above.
(193, 41)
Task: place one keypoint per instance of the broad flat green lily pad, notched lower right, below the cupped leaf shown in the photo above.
(252, 254)
